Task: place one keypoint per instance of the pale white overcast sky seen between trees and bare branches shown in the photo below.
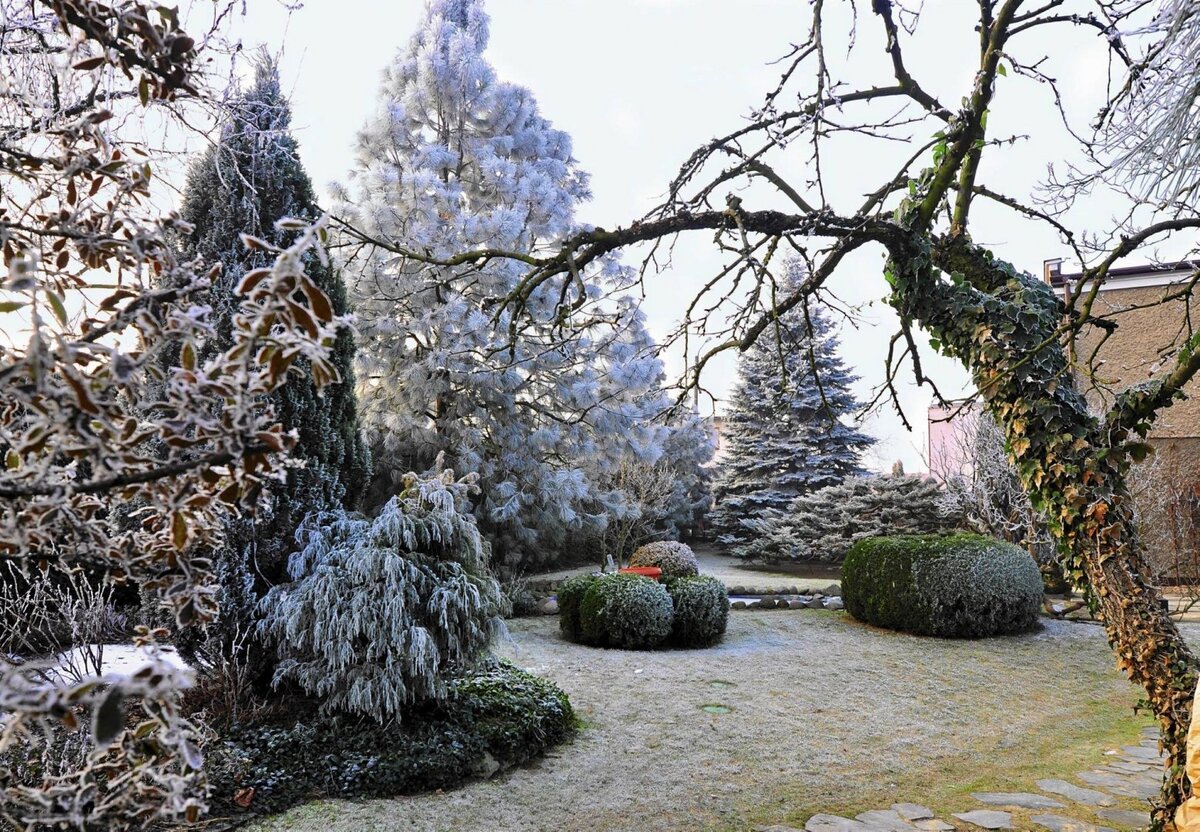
(640, 83)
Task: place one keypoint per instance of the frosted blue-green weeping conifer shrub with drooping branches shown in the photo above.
(383, 613)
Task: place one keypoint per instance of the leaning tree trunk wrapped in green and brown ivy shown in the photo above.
(1005, 328)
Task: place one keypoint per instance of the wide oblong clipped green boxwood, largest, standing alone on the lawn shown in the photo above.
(963, 586)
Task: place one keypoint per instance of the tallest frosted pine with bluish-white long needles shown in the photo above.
(458, 159)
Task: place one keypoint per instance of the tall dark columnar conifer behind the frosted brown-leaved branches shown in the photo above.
(244, 184)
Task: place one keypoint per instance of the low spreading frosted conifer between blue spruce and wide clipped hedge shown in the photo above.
(824, 525)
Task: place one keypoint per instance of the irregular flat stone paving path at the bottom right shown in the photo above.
(1132, 774)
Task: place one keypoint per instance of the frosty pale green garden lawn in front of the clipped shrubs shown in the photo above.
(825, 715)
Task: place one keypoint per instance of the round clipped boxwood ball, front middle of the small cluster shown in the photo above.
(627, 612)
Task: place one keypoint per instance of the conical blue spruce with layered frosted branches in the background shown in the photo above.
(787, 429)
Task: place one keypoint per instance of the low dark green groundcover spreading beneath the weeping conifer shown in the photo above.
(502, 715)
